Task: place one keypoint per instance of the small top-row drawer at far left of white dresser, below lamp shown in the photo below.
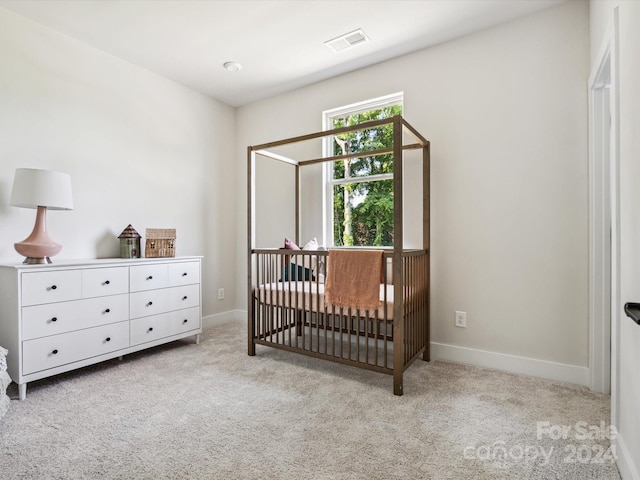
(48, 287)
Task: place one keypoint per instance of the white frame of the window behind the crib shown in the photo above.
(327, 149)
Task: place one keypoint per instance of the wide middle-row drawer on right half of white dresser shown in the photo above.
(144, 304)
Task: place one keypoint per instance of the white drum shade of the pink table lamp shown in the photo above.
(33, 188)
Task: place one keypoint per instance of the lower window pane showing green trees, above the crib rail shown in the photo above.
(363, 213)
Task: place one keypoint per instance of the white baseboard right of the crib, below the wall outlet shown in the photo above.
(511, 363)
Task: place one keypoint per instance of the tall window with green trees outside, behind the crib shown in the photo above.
(359, 191)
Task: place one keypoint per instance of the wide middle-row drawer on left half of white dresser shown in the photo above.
(54, 318)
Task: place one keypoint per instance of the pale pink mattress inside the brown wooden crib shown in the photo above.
(309, 296)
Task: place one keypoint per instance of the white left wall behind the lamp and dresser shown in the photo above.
(140, 149)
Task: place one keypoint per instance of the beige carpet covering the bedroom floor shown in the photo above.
(209, 411)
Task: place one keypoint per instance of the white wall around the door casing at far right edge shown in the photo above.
(626, 394)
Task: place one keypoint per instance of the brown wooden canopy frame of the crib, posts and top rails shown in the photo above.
(400, 127)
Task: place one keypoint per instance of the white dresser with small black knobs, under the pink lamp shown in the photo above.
(62, 316)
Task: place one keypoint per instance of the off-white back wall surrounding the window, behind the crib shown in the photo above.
(506, 112)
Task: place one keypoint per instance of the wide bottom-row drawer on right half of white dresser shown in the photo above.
(152, 328)
